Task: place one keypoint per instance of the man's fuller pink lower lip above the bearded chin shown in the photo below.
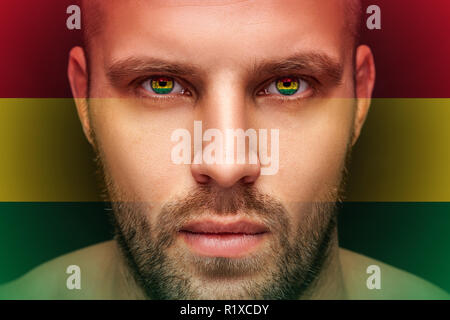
(227, 245)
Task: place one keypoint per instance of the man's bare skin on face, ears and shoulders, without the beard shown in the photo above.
(223, 41)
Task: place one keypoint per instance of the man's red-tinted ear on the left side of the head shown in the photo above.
(78, 78)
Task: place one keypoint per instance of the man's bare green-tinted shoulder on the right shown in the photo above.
(394, 283)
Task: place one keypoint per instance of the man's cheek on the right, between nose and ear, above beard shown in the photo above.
(313, 146)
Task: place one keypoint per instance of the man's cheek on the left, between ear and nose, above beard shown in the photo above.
(136, 146)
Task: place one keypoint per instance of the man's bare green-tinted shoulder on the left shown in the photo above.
(49, 280)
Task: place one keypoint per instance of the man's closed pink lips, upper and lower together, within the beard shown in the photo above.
(225, 237)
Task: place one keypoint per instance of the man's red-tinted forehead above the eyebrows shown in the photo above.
(215, 32)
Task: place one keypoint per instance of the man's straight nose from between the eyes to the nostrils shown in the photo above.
(224, 114)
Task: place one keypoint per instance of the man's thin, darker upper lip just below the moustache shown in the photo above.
(220, 226)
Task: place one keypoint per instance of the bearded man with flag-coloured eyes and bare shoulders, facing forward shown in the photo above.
(188, 224)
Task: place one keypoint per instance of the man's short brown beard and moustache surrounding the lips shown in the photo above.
(286, 267)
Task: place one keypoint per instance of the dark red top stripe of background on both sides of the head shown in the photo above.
(412, 50)
